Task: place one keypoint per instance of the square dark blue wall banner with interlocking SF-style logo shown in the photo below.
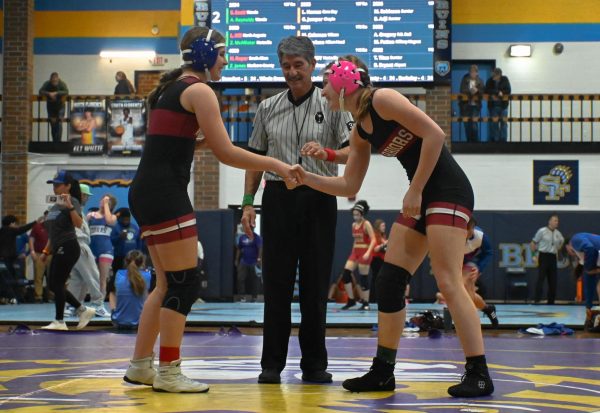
(555, 182)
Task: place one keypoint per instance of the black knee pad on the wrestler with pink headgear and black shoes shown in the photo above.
(391, 284)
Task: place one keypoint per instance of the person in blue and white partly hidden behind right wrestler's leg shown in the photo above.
(478, 253)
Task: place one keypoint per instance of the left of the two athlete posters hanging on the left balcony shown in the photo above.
(87, 131)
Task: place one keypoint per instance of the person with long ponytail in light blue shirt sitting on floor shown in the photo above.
(128, 290)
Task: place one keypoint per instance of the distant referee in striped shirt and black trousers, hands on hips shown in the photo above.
(547, 242)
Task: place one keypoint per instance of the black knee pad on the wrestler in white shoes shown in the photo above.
(183, 288)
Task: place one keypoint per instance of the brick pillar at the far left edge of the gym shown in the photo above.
(16, 107)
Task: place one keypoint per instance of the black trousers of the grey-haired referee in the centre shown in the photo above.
(298, 229)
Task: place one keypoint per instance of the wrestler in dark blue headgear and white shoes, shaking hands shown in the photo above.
(182, 108)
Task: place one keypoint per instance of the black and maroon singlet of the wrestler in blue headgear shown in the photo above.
(158, 196)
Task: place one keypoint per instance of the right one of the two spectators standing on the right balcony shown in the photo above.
(498, 89)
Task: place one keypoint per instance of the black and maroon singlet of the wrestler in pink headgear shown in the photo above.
(447, 196)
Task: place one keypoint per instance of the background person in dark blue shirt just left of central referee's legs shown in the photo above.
(248, 256)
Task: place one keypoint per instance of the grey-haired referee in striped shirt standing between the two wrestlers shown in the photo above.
(298, 226)
